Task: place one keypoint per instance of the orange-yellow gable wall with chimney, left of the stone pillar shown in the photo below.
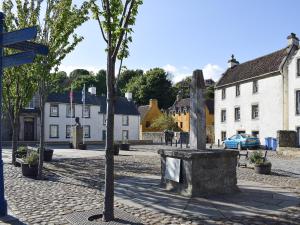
(152, 114)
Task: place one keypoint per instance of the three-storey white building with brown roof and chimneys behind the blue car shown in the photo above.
(260, 96)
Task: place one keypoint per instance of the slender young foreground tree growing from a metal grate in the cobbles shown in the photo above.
(116, 19)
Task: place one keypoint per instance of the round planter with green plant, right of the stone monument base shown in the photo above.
(261, 165)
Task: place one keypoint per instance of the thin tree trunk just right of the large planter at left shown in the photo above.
(42, 136)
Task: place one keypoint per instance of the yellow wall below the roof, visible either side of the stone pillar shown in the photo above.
(185, 119)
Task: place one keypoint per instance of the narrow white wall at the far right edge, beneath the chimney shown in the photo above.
(294, 84)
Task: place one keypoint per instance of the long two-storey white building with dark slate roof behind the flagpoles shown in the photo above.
(58, 119)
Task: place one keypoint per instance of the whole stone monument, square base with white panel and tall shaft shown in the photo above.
(197, 171)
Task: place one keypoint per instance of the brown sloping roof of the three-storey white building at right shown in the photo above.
(253, 68)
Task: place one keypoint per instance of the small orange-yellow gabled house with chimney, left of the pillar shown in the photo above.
(148, 114)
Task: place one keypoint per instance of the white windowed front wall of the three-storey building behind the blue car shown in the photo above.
(270, 100)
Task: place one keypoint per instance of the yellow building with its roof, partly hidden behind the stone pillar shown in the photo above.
(181, 113)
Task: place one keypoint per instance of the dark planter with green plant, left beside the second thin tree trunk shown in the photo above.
(30, 165)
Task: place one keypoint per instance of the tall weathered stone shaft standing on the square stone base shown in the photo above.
(197, 112)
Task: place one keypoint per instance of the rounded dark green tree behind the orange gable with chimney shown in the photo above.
(155, 83)
